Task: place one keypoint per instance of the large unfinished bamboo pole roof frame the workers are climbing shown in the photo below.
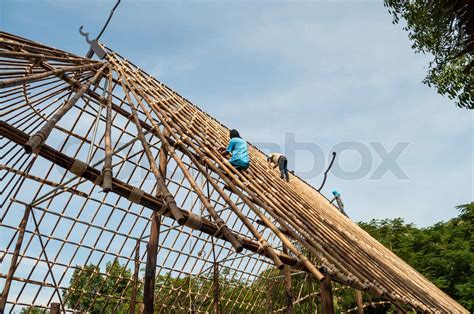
(101, 162)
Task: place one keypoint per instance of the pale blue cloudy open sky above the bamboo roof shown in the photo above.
(302, 77)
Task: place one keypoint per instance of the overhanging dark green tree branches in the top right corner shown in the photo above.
(443, 29)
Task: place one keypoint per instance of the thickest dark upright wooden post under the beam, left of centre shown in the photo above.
(150, 270)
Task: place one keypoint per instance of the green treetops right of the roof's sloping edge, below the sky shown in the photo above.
(443, 253)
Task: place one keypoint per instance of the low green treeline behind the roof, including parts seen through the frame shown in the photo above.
(442, 253)
